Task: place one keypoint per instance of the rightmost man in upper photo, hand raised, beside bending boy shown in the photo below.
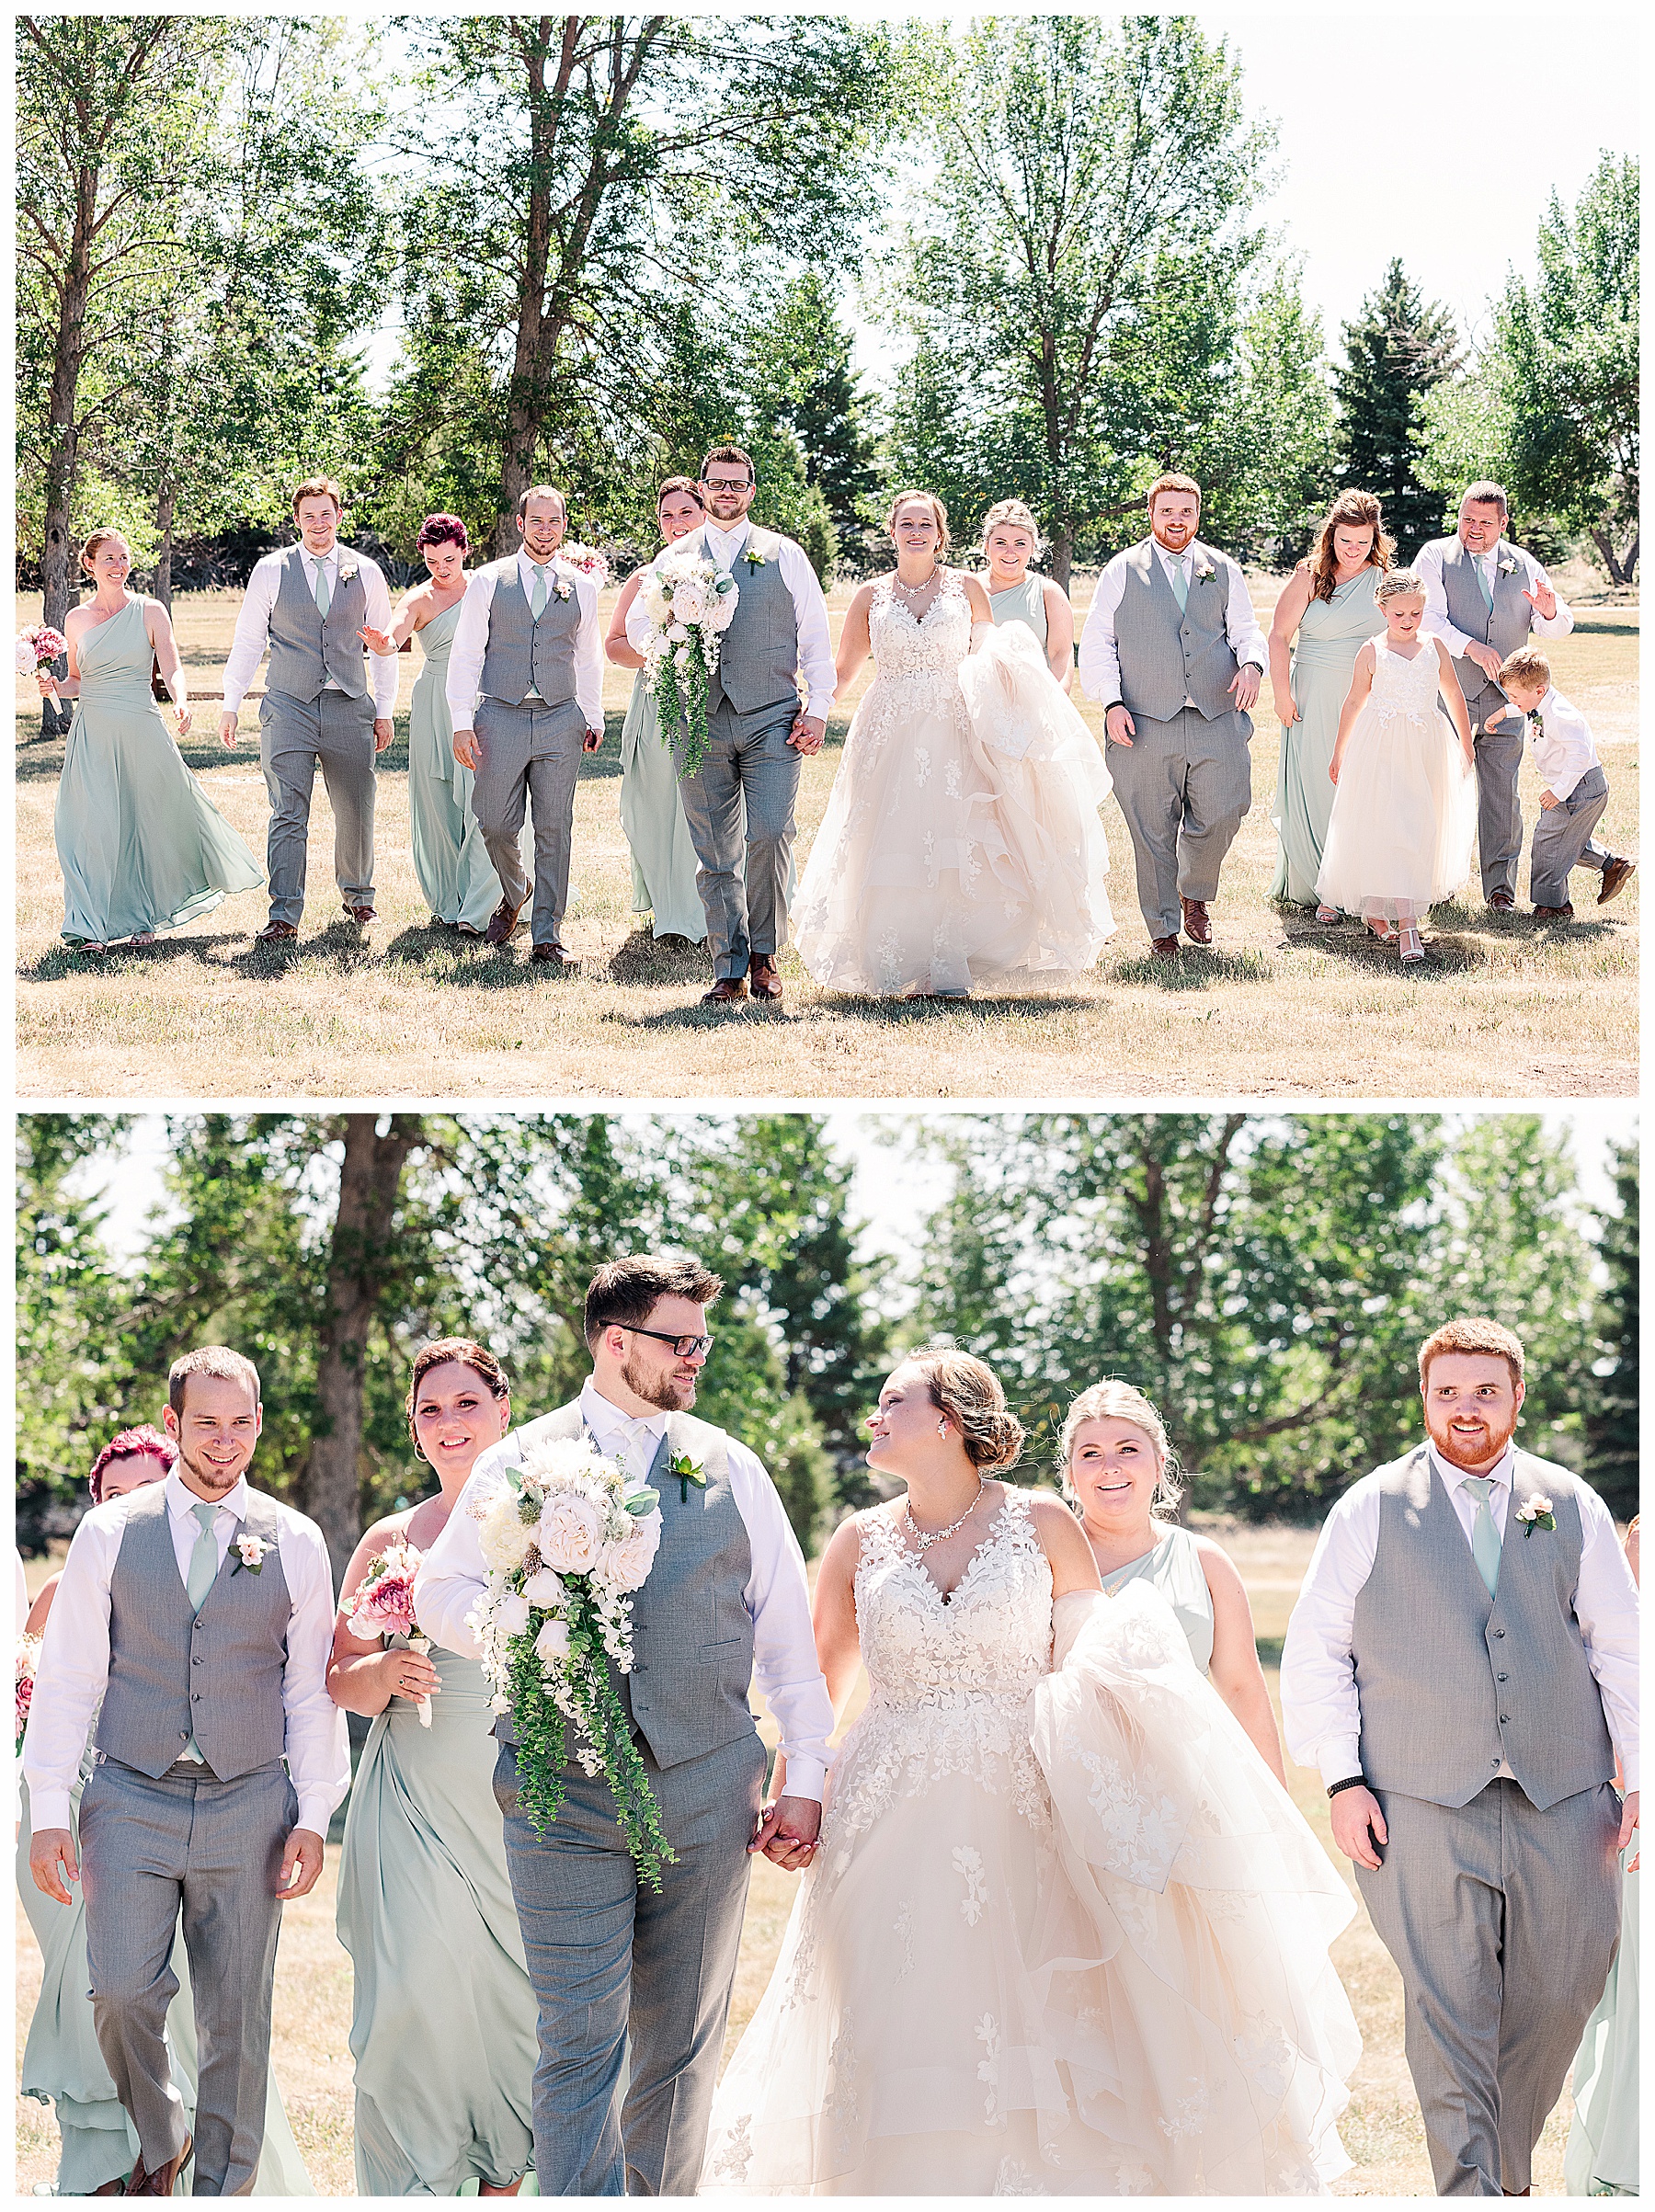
(1484, 598)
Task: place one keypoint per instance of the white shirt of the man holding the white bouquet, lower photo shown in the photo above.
(778, 1596)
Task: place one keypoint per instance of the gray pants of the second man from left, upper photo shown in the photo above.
(530, 753)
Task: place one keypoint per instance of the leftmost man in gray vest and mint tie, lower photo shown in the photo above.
(202, 1616)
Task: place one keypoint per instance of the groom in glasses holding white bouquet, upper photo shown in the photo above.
(758, 731)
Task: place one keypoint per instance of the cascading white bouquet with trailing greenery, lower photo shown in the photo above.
(565, 1547)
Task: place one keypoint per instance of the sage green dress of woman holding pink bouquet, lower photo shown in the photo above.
(444, 2018)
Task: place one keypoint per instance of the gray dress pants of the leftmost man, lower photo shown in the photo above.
(214, 1853)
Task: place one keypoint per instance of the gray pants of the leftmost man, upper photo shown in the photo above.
(295, 738)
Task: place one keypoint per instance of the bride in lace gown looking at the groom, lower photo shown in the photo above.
(1063, 1930)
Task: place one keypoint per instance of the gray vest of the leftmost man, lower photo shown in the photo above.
(174, 1673)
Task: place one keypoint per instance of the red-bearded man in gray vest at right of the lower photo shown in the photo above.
(1464, 1669)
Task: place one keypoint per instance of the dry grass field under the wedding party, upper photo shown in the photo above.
(1278, 1010)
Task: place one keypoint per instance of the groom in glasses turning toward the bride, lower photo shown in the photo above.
(625, 1974)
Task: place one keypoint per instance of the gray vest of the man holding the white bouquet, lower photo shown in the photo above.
(691, 1627)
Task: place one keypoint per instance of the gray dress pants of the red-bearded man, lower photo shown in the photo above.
(1503, 1923)
